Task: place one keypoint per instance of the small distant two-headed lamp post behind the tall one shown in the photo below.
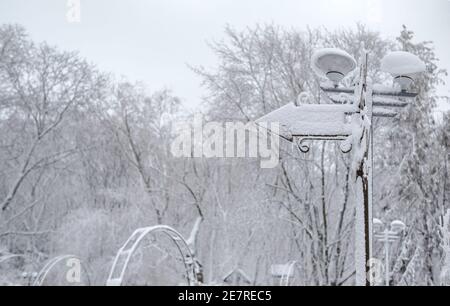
(388, 236)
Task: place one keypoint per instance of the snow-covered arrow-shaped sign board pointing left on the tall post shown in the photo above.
(319, 121)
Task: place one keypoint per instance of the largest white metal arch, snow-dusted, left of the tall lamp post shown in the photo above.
(119, 266)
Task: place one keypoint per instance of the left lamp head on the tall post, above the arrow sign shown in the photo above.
(333, 64)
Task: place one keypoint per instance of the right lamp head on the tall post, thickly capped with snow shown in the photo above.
(403, 66)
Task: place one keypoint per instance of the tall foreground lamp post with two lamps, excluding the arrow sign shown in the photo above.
(404, 67)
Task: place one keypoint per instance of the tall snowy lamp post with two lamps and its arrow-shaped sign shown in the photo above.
(300, 123)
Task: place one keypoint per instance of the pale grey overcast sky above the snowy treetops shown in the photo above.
(153, 40)
